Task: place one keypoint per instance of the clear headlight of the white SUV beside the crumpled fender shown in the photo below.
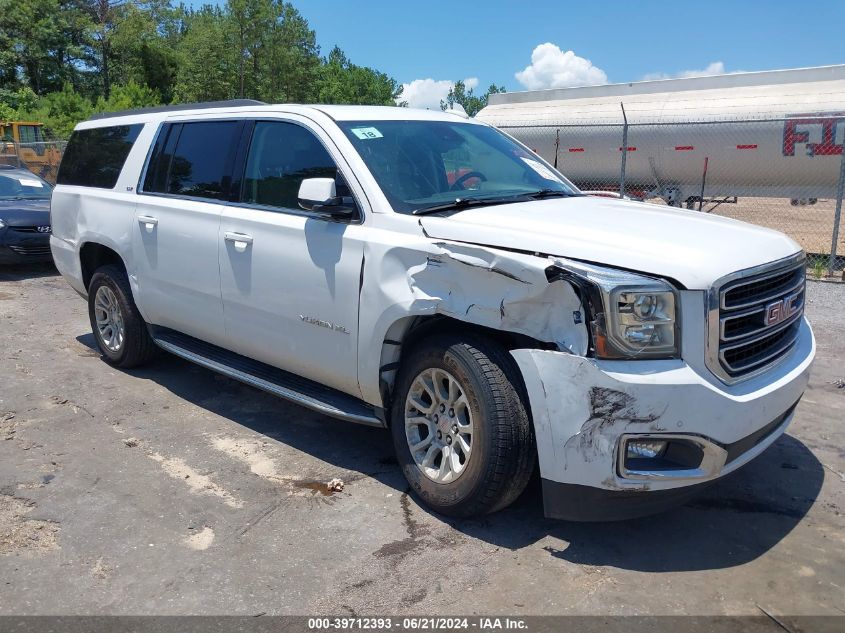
(630, 315)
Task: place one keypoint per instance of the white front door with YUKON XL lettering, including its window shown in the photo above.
(290, 278)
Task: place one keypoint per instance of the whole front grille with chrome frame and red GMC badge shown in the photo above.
(755, 316)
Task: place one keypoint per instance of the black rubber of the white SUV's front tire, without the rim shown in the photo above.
(503, 452)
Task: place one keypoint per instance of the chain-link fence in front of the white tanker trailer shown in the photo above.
(786, 174)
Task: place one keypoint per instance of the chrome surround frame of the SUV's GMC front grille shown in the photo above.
(713, 317)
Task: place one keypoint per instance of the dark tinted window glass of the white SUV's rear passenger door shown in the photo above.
(200, 165)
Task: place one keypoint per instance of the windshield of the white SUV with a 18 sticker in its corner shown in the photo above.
(426, 164)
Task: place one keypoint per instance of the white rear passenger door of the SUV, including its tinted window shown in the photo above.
(177, 221)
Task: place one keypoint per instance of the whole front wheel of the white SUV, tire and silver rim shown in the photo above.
(460, 426)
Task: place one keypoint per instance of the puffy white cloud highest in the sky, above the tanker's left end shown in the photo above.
(552, 68)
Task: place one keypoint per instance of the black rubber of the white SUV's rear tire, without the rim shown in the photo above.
(137, 347)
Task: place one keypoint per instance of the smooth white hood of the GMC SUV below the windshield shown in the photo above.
(691, 247)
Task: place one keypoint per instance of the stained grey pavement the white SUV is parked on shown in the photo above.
(172, 490)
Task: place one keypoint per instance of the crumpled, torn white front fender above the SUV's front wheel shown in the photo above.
(490, 287)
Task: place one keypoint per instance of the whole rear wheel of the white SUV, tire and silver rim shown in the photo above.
(118, 327)
